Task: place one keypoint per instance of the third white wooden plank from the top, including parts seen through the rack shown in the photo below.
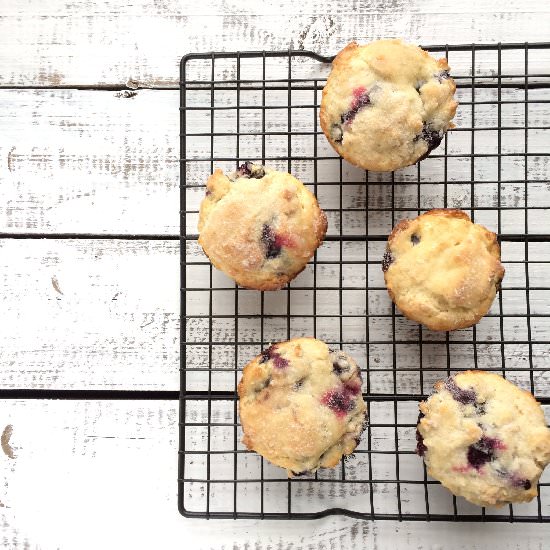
(104, 314)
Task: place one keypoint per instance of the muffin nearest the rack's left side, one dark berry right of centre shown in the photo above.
(259, 226)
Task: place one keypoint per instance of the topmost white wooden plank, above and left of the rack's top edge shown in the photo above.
(141, 43)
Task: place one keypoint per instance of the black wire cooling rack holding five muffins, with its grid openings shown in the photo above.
(264, 106)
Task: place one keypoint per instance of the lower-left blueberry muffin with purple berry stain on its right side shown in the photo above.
(301, 406)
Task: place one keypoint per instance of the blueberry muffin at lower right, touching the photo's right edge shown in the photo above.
(484, 438)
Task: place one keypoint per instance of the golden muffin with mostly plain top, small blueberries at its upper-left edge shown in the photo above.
(442, 270)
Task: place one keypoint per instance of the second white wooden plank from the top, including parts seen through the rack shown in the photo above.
(98, 162)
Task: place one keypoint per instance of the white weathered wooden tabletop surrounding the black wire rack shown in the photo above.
(89, 157)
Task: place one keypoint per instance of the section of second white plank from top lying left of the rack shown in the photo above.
(112, 160)
